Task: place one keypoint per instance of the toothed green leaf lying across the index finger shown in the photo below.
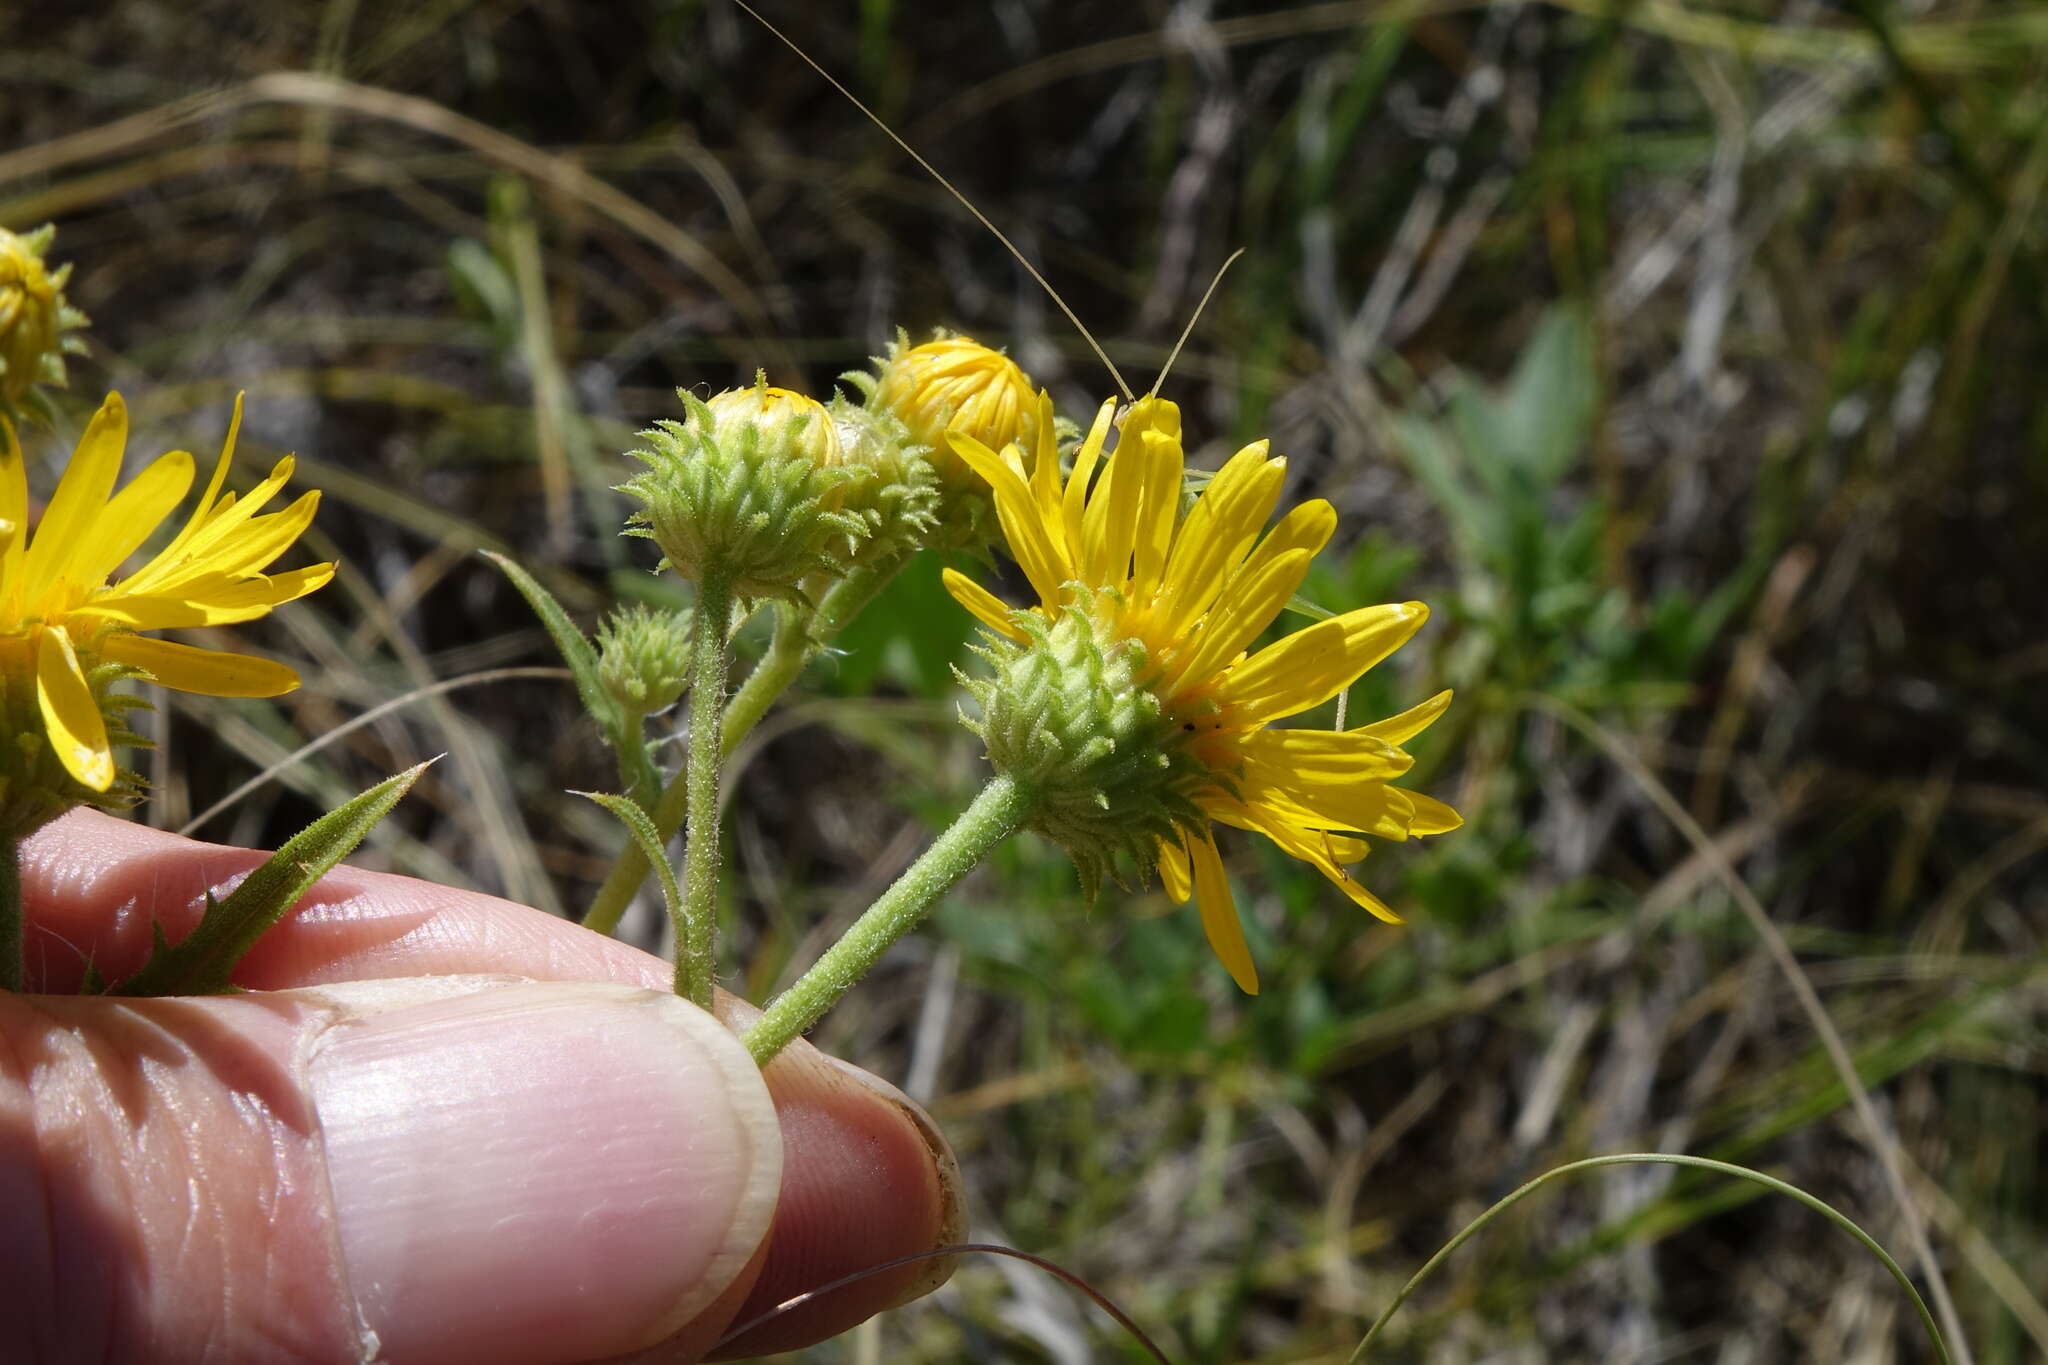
(206, 961)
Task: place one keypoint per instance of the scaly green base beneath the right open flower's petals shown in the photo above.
(1070, 717)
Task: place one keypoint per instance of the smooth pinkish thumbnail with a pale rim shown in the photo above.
(546, 1172)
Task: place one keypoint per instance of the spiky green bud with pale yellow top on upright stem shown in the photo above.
(746, 490)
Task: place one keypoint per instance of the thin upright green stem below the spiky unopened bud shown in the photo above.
(710, 658)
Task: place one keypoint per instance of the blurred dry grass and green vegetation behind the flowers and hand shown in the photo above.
(1684, 357)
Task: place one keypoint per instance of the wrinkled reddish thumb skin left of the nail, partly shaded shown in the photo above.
(179, 1168)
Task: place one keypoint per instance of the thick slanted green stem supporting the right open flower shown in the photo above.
(998, 811)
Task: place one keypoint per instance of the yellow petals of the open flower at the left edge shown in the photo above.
(60, 617)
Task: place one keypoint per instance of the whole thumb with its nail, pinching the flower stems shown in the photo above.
(423, 1170)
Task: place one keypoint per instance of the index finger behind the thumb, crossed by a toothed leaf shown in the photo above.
(867, 1176)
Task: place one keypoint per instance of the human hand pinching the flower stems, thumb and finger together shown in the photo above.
(454, 1122)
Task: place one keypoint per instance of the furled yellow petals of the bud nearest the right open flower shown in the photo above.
(957, 386)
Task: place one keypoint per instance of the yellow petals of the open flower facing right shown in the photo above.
(1195, 588)
